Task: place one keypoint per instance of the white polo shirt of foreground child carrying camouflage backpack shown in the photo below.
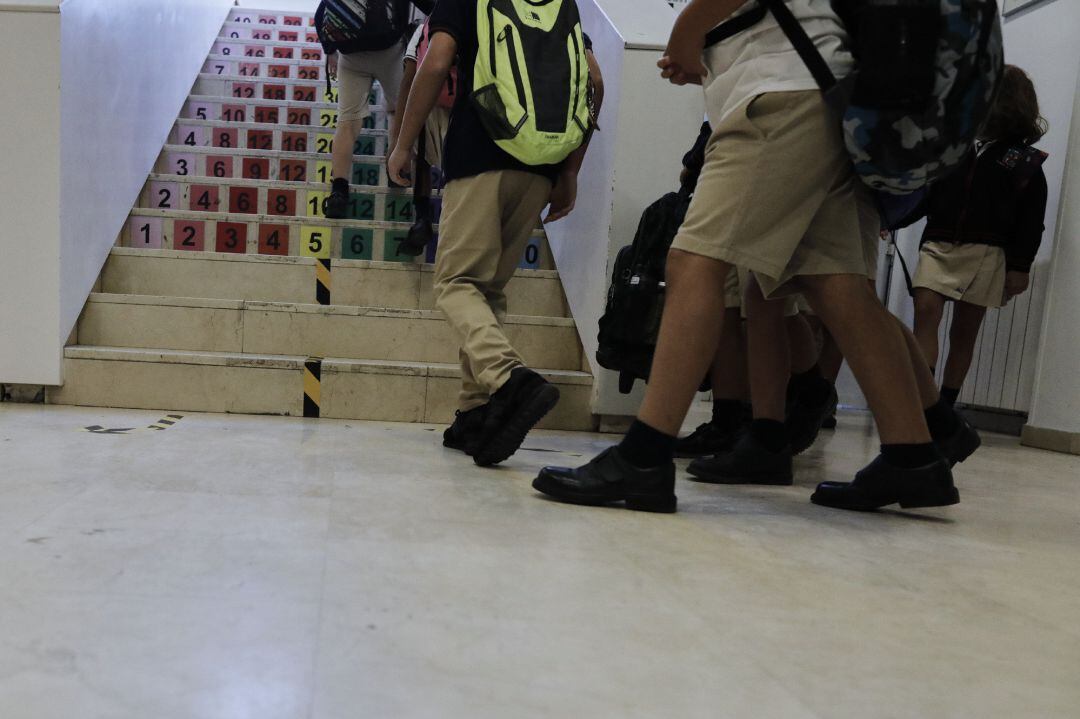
(762, 60)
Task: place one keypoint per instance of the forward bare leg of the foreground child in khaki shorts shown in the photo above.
(688, 338)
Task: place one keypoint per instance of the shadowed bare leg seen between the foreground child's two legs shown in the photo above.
(768, 346)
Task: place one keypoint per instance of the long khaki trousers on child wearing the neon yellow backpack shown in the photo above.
(487, 224)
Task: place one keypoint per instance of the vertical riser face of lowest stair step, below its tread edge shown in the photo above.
(256, 391)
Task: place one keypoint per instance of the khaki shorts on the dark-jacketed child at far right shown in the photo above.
(964, 273)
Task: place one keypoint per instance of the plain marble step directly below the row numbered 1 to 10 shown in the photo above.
(537, 293)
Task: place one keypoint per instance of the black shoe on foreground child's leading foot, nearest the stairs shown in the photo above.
(610, 479)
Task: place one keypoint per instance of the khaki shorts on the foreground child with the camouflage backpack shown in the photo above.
(779, 196)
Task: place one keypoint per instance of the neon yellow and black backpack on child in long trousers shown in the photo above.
(531, 80)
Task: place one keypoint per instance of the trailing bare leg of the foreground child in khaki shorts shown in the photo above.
(877, 352)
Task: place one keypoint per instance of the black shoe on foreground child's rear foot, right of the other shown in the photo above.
(882, 484)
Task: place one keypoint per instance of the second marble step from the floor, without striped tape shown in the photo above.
(336, 331)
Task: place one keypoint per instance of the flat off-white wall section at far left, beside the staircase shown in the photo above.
(30, 188)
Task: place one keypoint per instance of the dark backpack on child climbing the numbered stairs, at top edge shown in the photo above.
(354, 26)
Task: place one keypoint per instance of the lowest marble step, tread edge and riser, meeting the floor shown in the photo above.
(274, 385)
